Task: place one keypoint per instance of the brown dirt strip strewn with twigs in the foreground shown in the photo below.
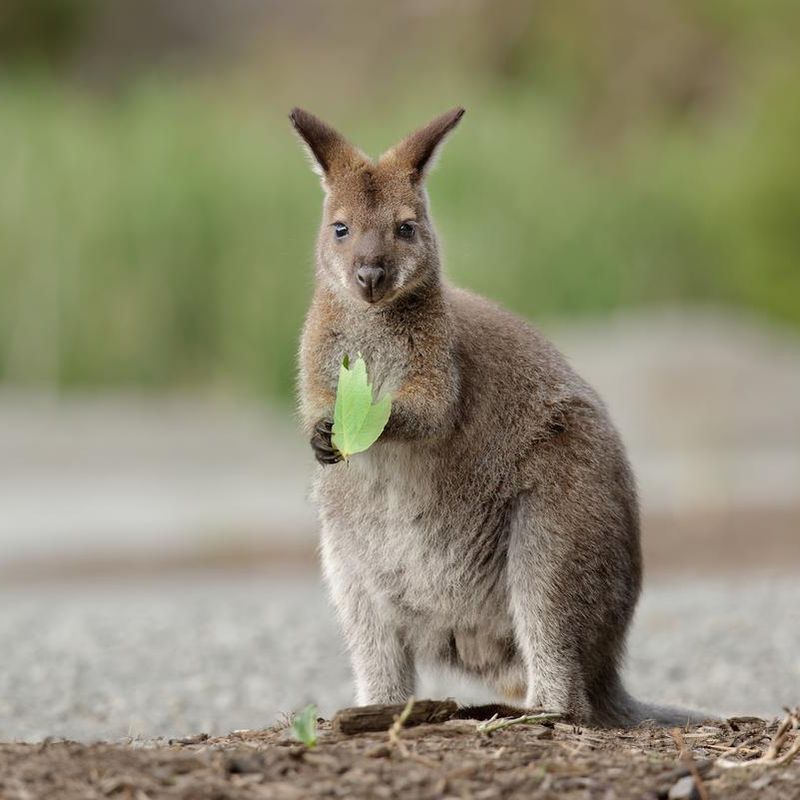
(738, 758)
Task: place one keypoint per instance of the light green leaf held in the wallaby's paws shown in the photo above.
(357, 421)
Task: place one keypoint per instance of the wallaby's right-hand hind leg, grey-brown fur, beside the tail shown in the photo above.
(573, 574)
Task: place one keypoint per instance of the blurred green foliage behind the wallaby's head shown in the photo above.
(163, 236)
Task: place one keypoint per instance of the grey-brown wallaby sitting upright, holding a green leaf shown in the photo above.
(494, 526)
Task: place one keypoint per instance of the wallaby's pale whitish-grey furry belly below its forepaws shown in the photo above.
(428, 558)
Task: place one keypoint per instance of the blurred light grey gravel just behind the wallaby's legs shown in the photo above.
(107, 659)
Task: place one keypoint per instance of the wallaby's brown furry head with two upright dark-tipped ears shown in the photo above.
(376, 242)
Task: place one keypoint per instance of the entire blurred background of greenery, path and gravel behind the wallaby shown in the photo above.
(627, 177)
